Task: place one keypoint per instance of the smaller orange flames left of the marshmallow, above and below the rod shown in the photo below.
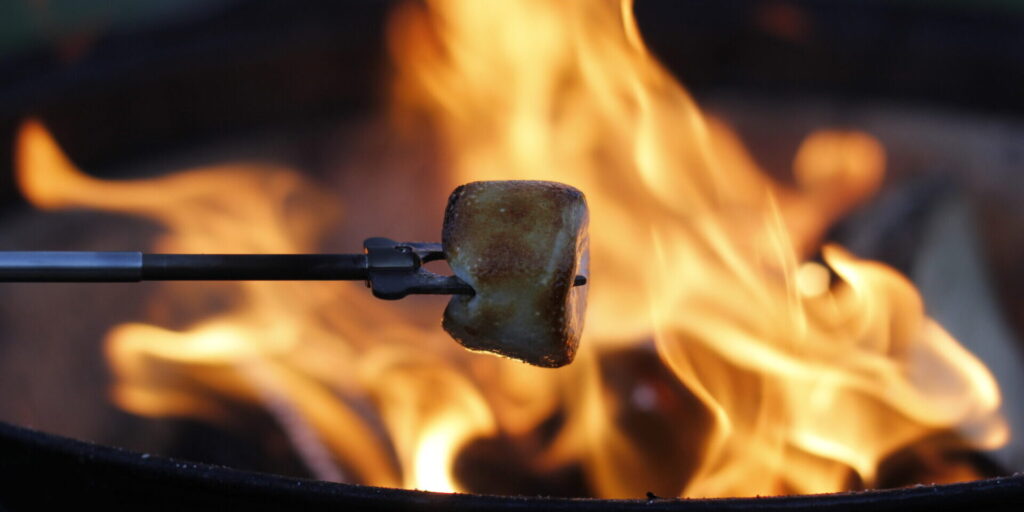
(280, 342)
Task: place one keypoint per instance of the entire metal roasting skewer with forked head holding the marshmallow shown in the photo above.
(393, 270)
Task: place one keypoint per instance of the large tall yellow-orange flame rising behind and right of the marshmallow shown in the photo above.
(696, 246)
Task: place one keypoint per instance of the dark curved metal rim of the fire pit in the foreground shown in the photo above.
(39, 470)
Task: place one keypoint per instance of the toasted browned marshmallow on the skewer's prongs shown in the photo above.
(520, 245)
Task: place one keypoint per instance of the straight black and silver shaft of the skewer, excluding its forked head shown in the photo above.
(42, 267)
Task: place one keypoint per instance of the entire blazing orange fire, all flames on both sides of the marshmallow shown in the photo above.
(804, 375)
